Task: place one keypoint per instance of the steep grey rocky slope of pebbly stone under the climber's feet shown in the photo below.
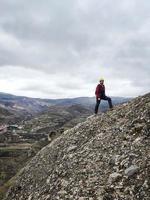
(105, 158)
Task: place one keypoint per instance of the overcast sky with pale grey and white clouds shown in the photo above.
(57, 49)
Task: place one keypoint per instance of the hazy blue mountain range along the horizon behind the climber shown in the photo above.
(16, 108)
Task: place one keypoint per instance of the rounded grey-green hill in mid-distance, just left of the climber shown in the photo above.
(56, 117)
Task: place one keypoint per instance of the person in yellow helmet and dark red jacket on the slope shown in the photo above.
(100, 95)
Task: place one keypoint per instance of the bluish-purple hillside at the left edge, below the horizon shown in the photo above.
(19, 108)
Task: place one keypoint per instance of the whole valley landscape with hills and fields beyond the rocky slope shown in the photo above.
(27, 125)
